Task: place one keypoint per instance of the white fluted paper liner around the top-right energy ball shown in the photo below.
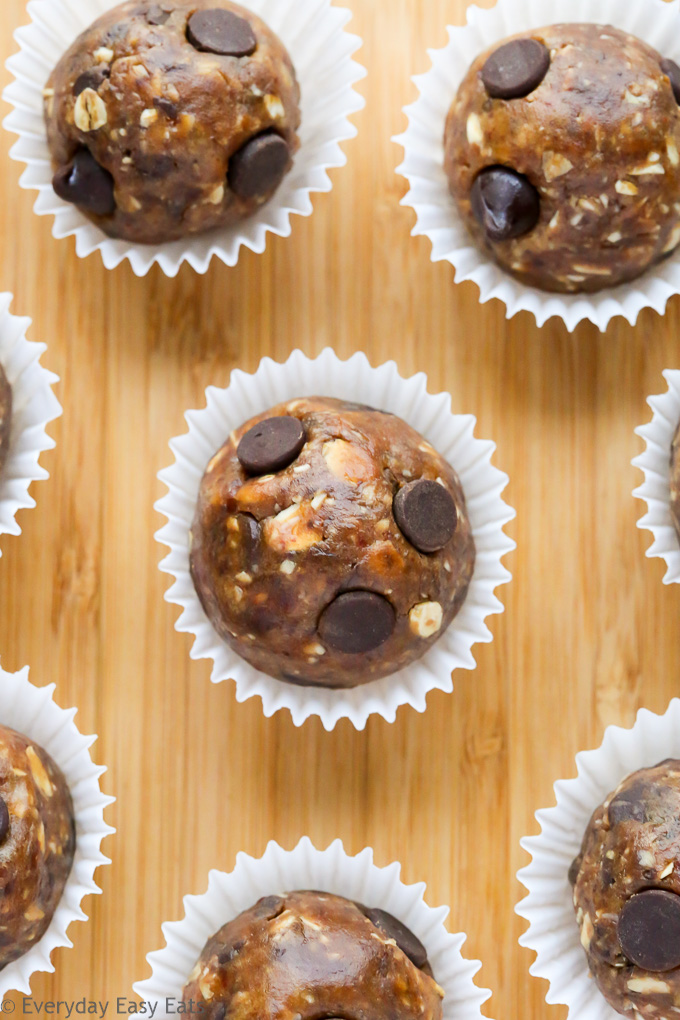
(656, 22)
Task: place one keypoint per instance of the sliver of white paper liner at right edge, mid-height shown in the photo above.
(656, 464)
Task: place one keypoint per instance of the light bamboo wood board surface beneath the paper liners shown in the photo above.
(590, 633)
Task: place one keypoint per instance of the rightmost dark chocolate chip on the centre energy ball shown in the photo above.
(427, 515)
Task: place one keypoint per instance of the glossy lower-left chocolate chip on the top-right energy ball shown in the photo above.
(505, 203)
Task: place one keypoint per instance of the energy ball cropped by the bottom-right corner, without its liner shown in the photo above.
(627, 894)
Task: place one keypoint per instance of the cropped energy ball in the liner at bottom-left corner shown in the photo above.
(37, 843)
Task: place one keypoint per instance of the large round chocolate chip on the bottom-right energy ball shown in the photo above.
(650, 931)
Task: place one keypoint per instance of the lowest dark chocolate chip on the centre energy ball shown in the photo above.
(356, 623)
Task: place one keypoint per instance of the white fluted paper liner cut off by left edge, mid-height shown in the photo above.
(34, 406)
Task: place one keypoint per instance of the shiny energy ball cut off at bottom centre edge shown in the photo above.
(308, 955)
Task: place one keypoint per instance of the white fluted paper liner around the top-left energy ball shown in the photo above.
(313, 31)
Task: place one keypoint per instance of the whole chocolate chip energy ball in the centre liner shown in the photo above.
(332, 544)
